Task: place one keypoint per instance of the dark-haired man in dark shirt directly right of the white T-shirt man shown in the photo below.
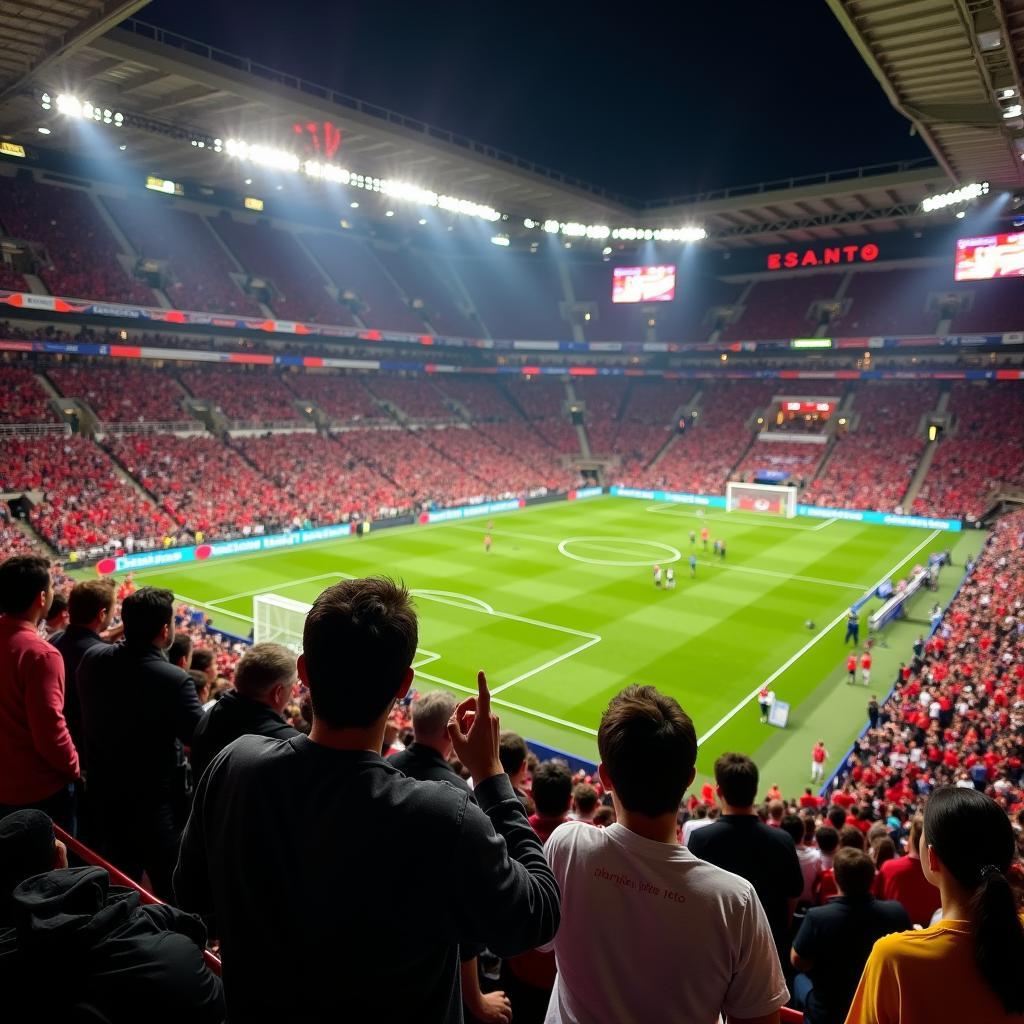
(741, 843)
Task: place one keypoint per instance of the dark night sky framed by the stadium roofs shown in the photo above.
(651, 102)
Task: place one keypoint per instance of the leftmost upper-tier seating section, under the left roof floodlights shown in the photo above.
(82, 253)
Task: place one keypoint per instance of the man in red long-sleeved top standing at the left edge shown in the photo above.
(38, 760)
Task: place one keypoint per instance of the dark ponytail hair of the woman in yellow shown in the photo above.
(973, 838)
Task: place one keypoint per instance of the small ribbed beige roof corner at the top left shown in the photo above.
(35, 35)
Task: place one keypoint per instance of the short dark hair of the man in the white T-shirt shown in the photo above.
(649, 747)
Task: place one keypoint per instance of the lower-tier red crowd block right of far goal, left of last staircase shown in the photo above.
(872, 467)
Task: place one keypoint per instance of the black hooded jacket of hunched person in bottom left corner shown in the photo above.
(87, 951)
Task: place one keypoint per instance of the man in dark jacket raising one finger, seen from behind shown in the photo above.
(296, 845)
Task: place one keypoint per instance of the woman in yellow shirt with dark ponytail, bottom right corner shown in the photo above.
(966, 967)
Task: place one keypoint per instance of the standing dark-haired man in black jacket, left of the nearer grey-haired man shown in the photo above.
(137, 708)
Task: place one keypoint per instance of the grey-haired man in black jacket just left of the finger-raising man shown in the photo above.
(264, 682)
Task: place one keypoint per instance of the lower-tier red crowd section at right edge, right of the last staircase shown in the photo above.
(983, 456)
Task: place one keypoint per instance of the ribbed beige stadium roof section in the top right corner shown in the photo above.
(954, 69)
